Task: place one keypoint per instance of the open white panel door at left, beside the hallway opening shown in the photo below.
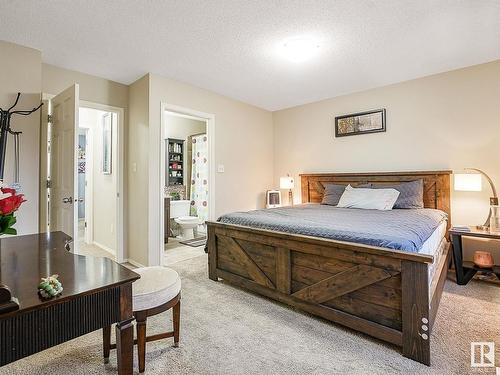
(63, 167)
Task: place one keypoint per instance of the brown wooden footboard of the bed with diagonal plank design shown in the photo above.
(380, 292)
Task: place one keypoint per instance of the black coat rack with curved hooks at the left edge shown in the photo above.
(5, 116)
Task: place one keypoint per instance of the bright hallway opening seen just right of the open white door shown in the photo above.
(97, 184)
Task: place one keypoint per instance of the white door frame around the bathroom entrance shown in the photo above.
(159, 190)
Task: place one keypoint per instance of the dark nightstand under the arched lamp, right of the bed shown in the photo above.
(466, 270)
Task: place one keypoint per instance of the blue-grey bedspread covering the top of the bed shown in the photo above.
(401, 229)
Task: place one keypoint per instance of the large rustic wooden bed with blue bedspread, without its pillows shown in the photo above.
(388, 288)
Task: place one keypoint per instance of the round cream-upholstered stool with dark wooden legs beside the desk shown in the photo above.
(158, 290)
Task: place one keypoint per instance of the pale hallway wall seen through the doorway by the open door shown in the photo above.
(104, 186)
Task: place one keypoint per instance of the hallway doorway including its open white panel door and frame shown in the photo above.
(82, 147)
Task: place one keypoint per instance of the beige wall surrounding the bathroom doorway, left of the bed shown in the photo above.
(243, 143)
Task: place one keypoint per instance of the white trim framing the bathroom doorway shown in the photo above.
(157, 169)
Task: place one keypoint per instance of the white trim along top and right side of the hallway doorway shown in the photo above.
(120, 137)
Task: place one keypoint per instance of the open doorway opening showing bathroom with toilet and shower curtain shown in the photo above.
(187, 188)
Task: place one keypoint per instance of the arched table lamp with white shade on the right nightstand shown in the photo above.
(472, 182)
